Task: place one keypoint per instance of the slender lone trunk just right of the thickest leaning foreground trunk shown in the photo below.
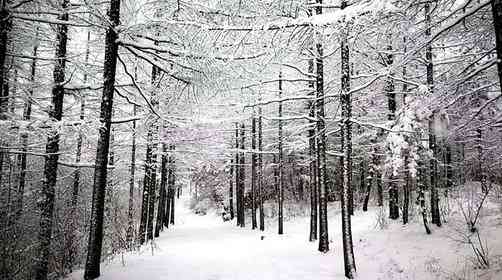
(130, 209)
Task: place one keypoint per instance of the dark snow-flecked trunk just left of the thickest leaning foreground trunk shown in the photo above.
(52, 149)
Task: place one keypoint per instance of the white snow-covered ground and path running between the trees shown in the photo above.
(206, 248)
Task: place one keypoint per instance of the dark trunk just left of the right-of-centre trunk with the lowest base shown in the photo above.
(321, 145)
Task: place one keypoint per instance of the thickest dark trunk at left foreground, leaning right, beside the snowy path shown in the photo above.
(92, 266)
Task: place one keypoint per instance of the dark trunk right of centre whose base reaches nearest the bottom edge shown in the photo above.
(346, 131)
